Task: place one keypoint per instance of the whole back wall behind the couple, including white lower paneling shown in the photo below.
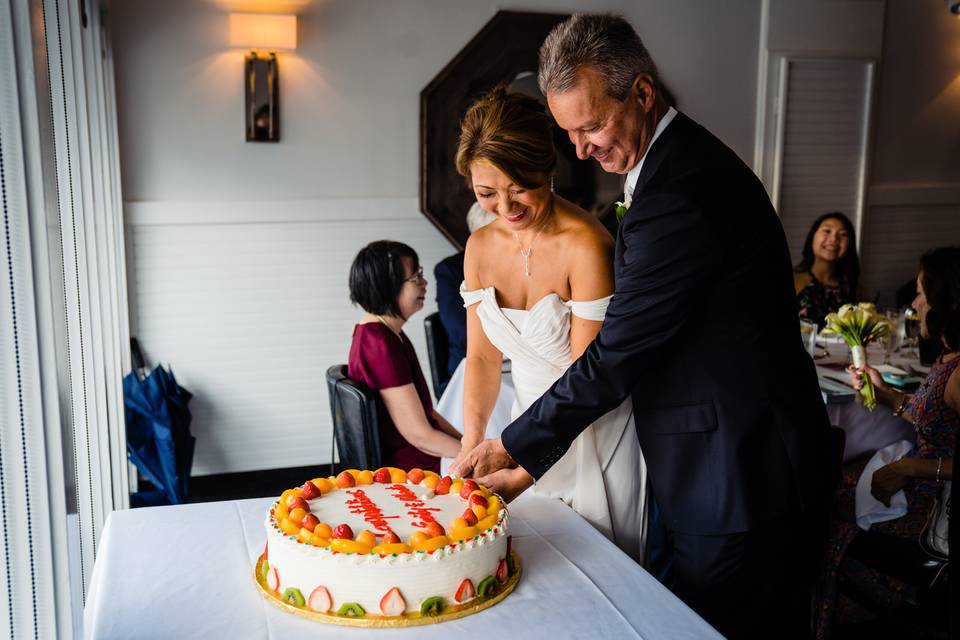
(239, 252)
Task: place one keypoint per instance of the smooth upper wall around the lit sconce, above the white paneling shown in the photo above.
(350, 92)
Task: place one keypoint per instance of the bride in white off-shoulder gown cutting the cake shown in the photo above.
(537, 283)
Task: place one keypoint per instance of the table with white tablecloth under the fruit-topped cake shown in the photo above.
(187, 572)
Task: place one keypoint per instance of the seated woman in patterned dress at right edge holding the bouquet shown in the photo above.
(934, 410)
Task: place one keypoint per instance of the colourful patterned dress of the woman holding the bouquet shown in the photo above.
(937, 425)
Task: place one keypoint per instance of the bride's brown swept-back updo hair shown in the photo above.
(511, 132)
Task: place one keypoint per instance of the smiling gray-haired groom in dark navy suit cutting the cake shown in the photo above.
(702, 331)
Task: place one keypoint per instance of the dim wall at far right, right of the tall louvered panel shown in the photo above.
(914, 198)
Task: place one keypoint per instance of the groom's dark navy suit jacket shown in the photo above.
(702, 330)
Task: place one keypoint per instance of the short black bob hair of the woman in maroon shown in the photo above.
(377, 276)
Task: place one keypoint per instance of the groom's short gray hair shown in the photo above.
(605, 42)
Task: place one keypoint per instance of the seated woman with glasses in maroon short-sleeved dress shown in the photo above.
(386, 280)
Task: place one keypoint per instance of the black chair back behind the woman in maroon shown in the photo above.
(353, 406)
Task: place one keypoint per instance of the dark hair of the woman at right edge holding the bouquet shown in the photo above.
(940, 276)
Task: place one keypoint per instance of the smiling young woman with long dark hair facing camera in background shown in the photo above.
(826, 277)
